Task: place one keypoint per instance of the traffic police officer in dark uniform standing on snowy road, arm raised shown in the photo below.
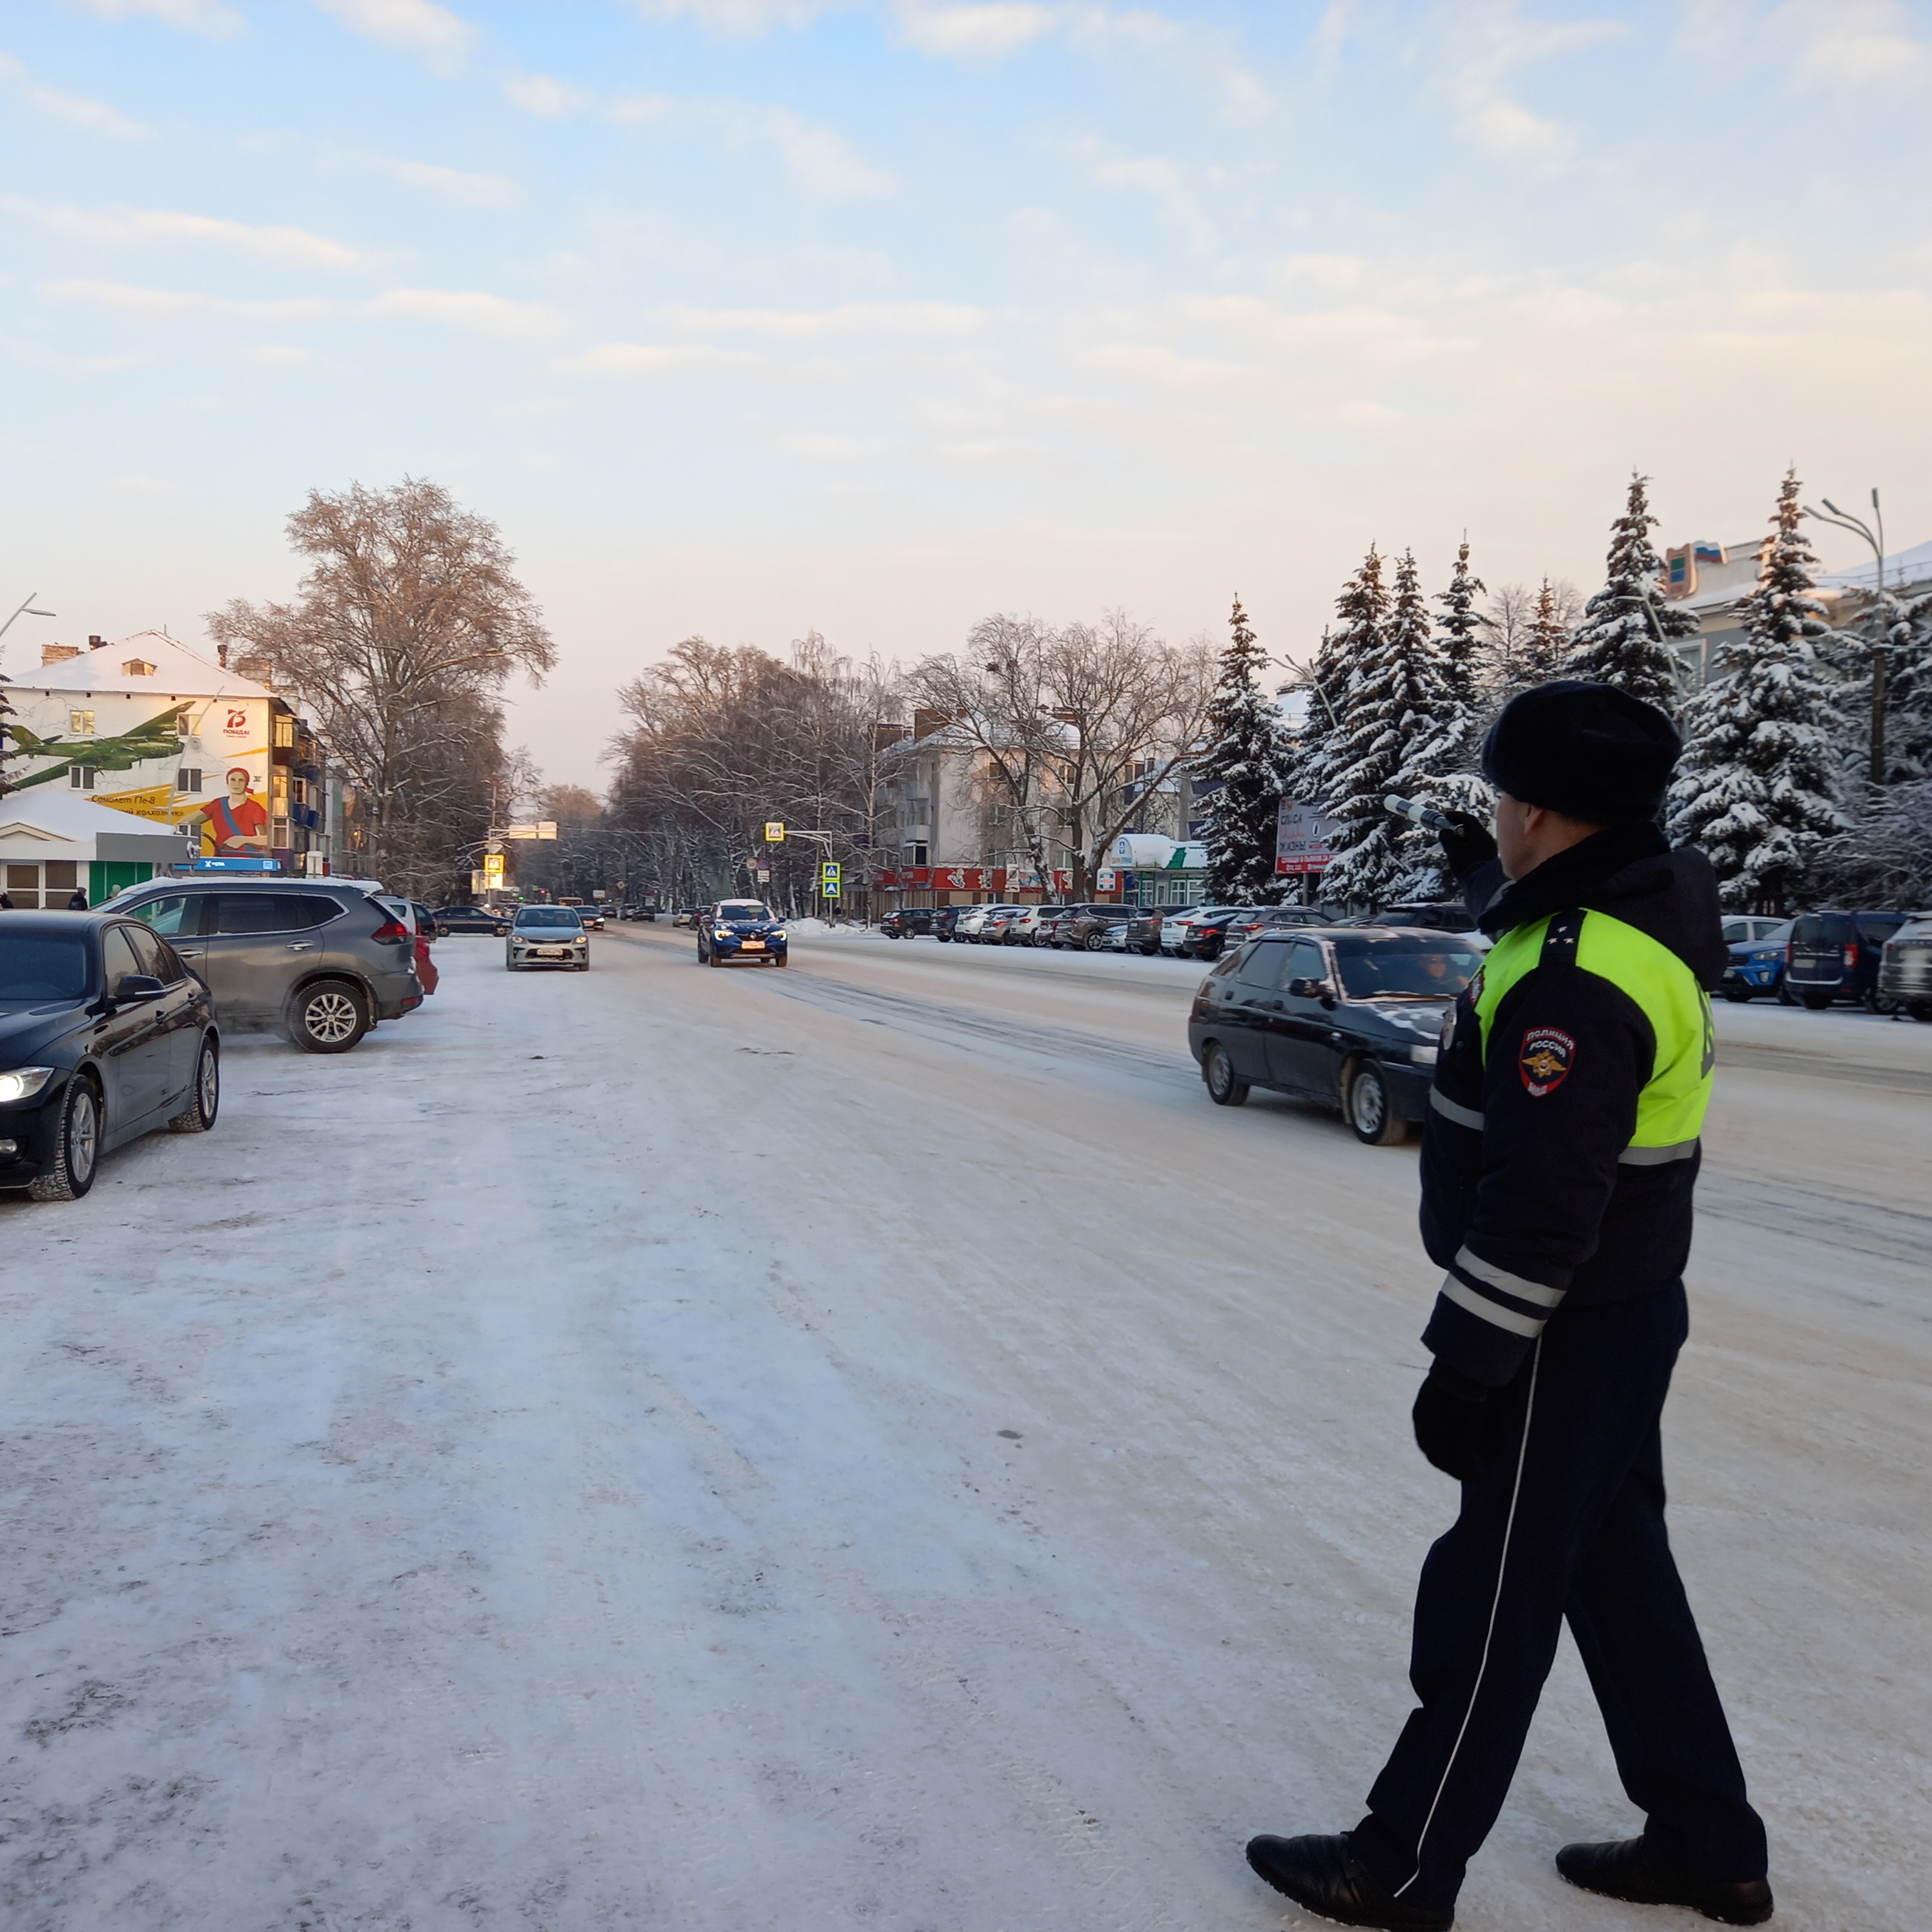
(1558, 1166)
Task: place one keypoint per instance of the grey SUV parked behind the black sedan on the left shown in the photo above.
(318, 961)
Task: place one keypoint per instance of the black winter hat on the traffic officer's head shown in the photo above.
(1585, 751)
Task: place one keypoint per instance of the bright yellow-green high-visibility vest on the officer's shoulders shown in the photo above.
(1670, 1112)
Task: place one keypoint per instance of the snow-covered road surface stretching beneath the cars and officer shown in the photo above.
(872, 1446)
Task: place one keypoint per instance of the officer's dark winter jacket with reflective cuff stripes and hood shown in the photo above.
(1523, 1197)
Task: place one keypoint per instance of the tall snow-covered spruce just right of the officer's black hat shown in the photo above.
(1759, 781)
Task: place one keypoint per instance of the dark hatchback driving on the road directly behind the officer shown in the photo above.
(1344, 1015)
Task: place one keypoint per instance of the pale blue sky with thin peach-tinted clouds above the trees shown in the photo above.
(760, 316)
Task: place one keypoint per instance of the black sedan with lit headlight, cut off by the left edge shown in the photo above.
(105, 1037)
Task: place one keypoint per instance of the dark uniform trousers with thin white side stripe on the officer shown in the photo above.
(1568, 1521)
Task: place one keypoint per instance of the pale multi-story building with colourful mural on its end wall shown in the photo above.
(154, 729)
